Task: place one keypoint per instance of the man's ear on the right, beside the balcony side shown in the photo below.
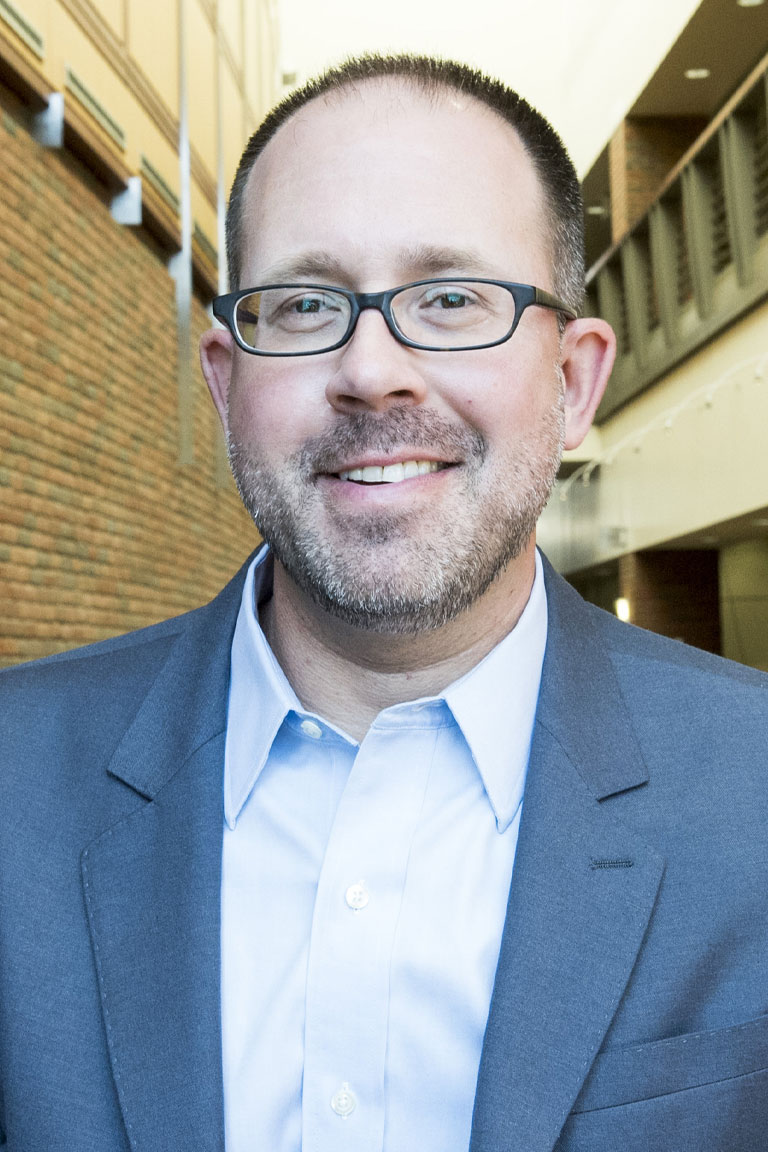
(588, 354)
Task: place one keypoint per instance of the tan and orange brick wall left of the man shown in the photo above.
(101, 529)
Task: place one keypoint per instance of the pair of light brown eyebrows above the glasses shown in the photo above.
(415, 263)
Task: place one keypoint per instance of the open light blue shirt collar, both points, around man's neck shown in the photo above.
(495, 704)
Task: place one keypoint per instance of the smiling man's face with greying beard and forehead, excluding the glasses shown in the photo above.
(369, 192)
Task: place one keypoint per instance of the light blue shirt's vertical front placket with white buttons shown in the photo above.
(348, 967)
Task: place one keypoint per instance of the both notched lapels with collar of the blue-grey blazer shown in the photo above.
(583, 891)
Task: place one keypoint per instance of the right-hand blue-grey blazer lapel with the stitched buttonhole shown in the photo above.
(583, 891)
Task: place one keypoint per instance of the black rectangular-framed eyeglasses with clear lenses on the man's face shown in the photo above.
(439, 316)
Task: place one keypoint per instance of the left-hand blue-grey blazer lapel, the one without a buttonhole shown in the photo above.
(153, 893)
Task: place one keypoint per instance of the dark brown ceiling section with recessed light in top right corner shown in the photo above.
(723, 36)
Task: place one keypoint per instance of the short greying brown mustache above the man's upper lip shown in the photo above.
(369, 433)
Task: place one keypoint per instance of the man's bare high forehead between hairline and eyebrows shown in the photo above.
(384, 168)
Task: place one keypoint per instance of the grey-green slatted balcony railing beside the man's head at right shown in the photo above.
(698, 259)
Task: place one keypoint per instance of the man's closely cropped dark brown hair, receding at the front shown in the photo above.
(434, 77)
